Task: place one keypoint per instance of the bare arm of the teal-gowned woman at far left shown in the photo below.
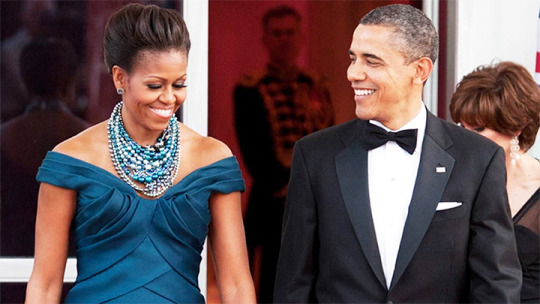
(56, 208)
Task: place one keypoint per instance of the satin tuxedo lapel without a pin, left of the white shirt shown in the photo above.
(351, 166)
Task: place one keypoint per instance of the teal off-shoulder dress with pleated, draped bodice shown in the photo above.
(135, 250)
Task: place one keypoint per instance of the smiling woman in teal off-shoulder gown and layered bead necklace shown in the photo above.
(141, 191)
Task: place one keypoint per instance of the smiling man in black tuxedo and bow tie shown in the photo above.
(397, 205)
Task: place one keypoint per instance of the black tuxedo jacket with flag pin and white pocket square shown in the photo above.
(464, 254)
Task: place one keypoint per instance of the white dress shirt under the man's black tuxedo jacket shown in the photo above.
(391, 179)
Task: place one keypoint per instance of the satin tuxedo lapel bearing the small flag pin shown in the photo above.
(433, 173)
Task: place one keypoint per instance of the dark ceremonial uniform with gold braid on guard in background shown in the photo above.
(275, 108)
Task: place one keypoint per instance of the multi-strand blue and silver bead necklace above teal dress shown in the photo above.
(155, 166)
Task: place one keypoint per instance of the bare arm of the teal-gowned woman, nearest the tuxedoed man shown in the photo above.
(228, 247)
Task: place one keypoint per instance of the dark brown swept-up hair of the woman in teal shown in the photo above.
(136, 27)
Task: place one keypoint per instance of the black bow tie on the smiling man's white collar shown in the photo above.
(375, 137)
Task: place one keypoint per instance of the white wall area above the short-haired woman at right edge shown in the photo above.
(496, 30)
